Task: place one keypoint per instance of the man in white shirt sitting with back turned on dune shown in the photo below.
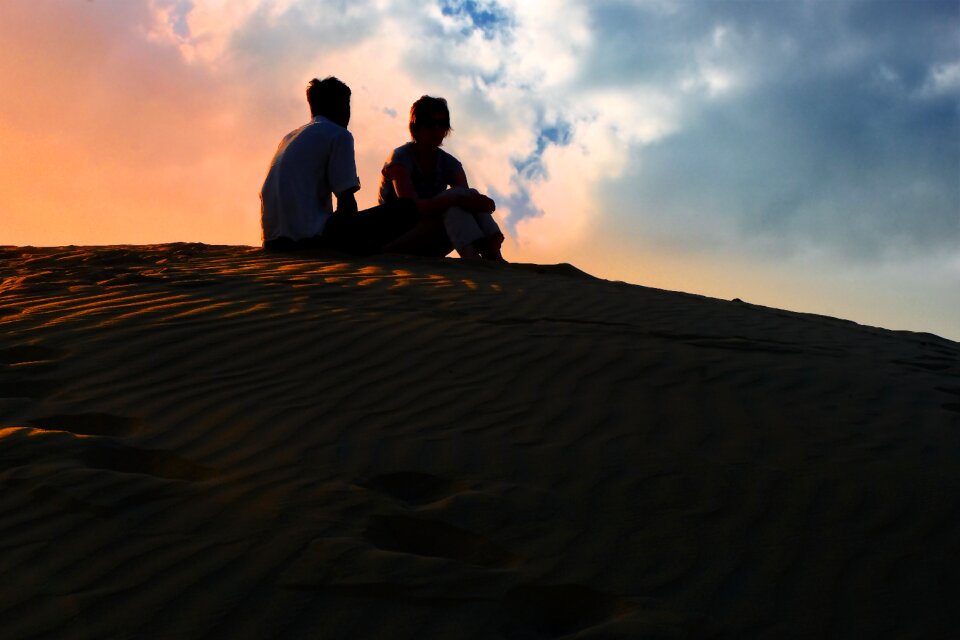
(314, 163)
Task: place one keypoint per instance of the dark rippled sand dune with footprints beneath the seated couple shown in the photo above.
(203, 441)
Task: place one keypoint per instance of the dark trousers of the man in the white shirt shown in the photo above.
(362, 233)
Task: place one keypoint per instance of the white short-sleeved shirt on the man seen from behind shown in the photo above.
(310, 165)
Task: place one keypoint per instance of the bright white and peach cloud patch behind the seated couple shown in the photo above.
(505, 85)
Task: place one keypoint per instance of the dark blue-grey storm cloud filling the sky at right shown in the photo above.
(842, 136)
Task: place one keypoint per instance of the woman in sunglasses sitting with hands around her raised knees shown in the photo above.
(452, 214)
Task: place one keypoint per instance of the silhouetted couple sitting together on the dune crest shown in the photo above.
(426, 206)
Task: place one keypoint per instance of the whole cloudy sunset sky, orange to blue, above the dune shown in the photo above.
(800, 154)
